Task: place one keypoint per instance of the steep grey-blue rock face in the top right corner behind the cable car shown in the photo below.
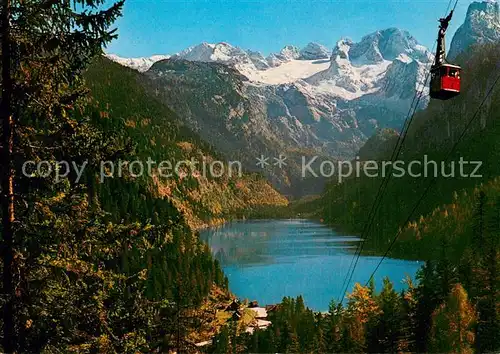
(482, 25)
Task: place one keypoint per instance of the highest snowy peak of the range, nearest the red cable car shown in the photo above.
(362, 68)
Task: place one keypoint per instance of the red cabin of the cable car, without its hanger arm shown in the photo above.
(445, 81)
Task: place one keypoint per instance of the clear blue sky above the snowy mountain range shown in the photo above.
(151, 27)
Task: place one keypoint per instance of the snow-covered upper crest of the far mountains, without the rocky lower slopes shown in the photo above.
(349, 72)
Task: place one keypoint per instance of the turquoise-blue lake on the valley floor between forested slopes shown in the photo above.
(266, 260)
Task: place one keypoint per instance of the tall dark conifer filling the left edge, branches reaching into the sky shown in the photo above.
(45, 46)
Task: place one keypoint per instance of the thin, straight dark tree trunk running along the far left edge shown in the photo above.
(7, 177)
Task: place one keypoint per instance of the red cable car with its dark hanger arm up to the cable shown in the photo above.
(445, 77)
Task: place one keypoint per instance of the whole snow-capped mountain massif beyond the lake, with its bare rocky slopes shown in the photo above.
(308, 98)
